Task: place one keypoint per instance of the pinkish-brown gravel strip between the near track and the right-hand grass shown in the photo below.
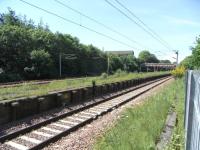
(84, 137)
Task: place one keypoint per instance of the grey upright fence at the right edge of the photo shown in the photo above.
(192, 111)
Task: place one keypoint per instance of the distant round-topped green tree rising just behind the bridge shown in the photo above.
(147, 57)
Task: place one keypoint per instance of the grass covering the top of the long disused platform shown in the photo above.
(27, 89)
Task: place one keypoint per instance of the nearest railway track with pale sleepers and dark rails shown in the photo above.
(40, 135)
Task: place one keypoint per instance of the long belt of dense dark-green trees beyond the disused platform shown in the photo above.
(30, 51)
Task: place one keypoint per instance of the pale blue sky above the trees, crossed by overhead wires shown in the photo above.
(177, 22)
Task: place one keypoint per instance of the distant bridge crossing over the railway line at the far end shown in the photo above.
(157, 66)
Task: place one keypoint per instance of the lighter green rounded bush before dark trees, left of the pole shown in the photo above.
(41, 63)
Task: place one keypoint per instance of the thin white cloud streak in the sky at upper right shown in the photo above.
(181, 21)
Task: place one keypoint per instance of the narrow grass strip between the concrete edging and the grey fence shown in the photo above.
(177, 141)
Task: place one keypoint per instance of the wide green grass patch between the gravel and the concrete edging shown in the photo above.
(139, 128)
